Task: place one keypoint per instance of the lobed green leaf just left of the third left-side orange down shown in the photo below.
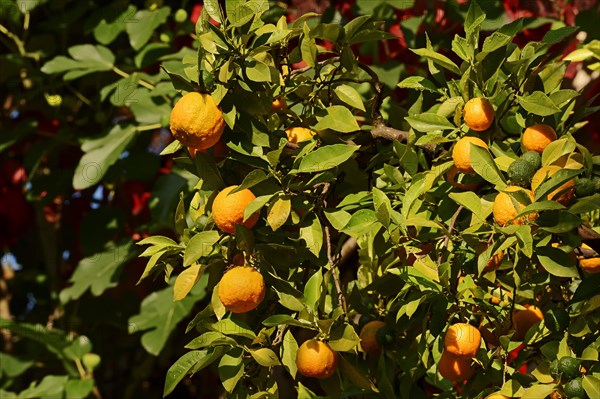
(159, 315)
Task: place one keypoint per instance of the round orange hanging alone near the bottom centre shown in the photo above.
(316, 359)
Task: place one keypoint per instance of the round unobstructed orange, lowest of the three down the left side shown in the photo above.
(242, 289)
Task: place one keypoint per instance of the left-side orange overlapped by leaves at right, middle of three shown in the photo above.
(228, 210)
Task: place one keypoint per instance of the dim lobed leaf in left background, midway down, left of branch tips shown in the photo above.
(99, 272)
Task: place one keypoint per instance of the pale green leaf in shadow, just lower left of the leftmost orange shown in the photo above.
(100, 154)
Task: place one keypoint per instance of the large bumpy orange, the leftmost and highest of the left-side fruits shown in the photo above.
(197, 122)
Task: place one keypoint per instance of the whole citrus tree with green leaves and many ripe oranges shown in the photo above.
(466, 211)
